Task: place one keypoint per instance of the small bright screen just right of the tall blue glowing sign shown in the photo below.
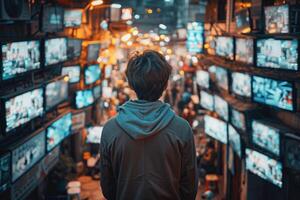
(225, 47)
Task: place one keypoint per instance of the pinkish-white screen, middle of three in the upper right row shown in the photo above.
(244, 50)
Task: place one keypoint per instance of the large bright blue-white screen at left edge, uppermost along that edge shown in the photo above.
(19, 58)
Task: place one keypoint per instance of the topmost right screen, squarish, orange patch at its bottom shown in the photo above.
(277, 19)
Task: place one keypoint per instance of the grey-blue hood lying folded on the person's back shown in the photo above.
(141, 119)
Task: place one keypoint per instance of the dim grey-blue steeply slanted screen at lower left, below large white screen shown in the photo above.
(28, 154)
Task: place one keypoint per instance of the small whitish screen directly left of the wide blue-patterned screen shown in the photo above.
(241, 84)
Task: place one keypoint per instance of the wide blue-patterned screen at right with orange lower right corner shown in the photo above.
(273, 92)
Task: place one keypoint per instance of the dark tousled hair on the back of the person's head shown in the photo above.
(148, 74)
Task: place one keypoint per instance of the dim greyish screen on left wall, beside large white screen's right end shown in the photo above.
(56, 92)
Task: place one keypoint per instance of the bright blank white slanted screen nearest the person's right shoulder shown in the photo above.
(215, 128)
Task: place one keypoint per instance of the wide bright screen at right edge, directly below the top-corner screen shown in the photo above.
(277, 53)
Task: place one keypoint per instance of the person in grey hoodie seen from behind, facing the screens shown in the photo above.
(147, 151)
